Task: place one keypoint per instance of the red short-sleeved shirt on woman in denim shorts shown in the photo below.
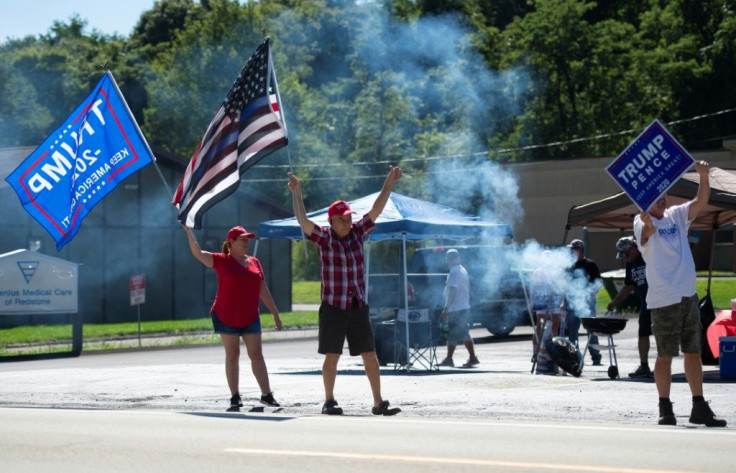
(238, 290)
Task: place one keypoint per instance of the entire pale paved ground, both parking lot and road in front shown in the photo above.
(165, 410)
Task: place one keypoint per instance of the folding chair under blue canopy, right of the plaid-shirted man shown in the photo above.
(422, 340)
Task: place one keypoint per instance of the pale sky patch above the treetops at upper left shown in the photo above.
(19, 18)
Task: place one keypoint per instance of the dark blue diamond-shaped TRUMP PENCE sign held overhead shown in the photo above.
(650, 165)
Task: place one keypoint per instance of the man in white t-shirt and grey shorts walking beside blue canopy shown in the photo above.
(457, 309)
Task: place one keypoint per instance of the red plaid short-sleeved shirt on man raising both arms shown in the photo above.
(342, 263)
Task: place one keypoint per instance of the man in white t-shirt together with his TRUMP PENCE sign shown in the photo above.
(645, 170)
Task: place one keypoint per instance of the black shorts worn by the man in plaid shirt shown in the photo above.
(335, 325)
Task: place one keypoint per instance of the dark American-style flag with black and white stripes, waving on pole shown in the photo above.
(247, 127)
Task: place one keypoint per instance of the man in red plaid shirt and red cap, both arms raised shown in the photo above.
(343, 312)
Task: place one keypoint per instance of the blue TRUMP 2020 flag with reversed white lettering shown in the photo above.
(97, 147)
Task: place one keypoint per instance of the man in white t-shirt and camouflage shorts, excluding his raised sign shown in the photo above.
(662, 236)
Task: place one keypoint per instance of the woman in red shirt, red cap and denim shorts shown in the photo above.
(240, 285)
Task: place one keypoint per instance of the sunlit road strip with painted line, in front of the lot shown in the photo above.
(59, 440)
